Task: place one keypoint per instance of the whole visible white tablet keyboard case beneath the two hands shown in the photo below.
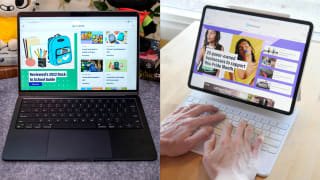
(275, 130)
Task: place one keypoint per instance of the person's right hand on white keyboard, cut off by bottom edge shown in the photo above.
(234, 157)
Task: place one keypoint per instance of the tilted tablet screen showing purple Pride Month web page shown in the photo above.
(251, 58)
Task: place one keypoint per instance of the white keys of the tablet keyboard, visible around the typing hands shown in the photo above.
(273, 130)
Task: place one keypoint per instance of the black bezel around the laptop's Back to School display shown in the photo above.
(78, 14)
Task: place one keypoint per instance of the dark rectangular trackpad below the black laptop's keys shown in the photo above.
(79, 145)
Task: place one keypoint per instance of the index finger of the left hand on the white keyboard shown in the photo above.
(207, 120)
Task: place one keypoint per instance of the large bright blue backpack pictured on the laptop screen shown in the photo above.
(59, 50)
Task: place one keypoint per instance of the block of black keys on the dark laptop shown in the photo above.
(107, 113)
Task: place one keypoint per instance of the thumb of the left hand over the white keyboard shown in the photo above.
(200, 135)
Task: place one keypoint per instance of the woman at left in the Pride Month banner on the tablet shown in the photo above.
(211, 40)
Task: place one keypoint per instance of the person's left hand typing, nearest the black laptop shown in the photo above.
(183, 129)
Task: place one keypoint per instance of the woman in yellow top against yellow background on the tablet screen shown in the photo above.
(245, 53)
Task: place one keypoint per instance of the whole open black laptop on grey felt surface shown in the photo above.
(78, 89)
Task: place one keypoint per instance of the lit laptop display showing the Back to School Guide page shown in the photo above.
(78, 53)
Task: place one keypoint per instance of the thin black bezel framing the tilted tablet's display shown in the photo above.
(258, 15)
